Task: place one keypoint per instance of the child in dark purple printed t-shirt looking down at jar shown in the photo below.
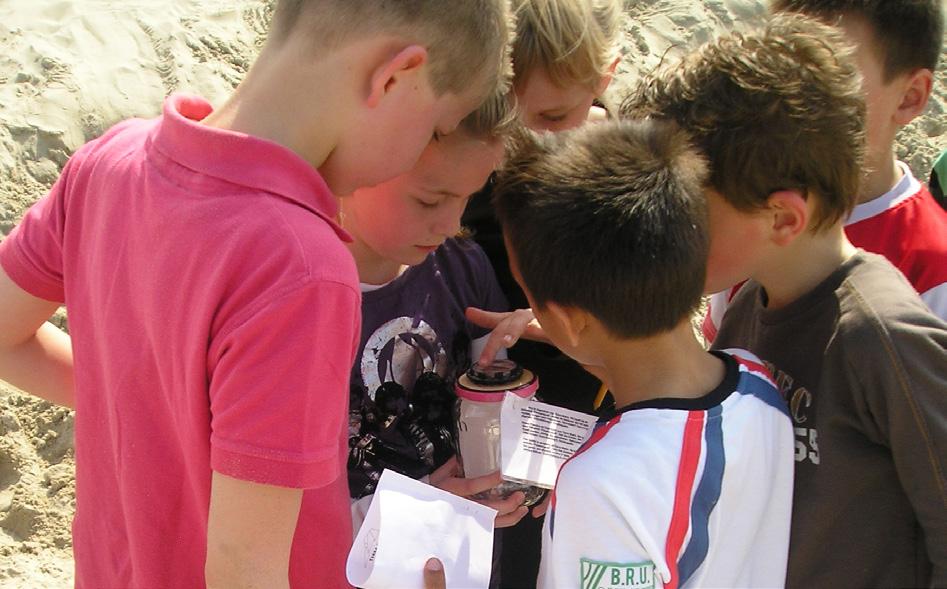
(417, 277)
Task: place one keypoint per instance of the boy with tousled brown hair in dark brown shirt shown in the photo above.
(858, 356)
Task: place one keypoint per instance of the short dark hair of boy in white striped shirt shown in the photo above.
(609, 218)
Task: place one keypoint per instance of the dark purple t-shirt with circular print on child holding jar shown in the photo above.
(415, 342)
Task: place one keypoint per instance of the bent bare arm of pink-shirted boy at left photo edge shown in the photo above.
(34, 355)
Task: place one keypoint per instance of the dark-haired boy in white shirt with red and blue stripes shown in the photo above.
(606, 230)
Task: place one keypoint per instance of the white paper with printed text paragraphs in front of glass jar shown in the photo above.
(537, 438)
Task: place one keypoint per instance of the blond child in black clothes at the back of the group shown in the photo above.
(564, 55)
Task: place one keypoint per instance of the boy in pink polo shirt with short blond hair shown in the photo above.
(213, 306)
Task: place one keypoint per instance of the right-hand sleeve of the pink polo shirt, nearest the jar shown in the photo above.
(279, 388)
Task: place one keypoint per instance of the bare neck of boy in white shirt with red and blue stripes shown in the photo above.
(669, 365)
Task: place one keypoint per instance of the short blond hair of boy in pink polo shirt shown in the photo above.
(461, 36)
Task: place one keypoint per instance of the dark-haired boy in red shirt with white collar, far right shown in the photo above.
(897, 46)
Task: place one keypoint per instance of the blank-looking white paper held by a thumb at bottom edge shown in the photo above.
(407, 523)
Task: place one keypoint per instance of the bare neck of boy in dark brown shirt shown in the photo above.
(805, 263)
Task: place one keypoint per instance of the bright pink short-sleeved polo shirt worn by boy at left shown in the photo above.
(214, 314)
